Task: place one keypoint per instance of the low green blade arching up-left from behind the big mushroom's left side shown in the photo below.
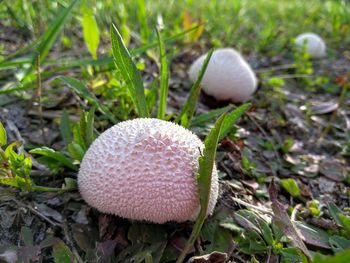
(83, 91)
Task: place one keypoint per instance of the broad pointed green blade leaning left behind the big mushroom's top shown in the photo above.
(129, 71)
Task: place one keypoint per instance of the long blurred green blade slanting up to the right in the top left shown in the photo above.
(49, 37)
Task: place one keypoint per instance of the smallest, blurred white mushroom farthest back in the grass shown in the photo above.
(315, 45)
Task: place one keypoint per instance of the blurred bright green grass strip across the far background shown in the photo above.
(258, 26)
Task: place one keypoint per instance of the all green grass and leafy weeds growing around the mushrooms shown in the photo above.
(101, 51)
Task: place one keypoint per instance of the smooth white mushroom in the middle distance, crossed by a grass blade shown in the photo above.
(228, 76)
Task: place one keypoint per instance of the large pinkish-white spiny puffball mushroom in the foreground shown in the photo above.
(145, 169)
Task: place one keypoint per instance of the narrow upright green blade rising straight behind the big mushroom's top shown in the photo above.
(164, 78)
